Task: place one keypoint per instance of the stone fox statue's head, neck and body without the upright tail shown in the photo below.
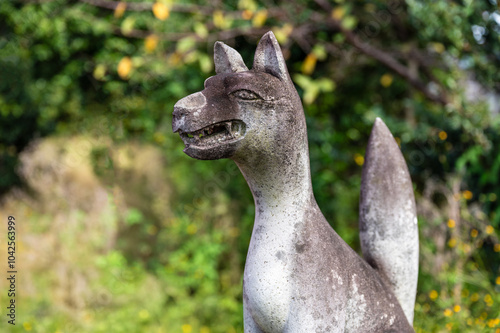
(300, 276)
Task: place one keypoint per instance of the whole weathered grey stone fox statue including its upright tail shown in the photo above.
(300, 276)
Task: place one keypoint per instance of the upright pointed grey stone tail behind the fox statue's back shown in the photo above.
(388, 217)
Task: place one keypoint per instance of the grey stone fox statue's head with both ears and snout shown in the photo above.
(243, 112)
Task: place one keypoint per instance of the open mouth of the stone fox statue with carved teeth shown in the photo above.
(216, 134)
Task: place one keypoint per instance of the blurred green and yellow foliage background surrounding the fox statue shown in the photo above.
(119, 231)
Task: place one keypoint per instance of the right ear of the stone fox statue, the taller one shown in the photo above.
(269, 59)
